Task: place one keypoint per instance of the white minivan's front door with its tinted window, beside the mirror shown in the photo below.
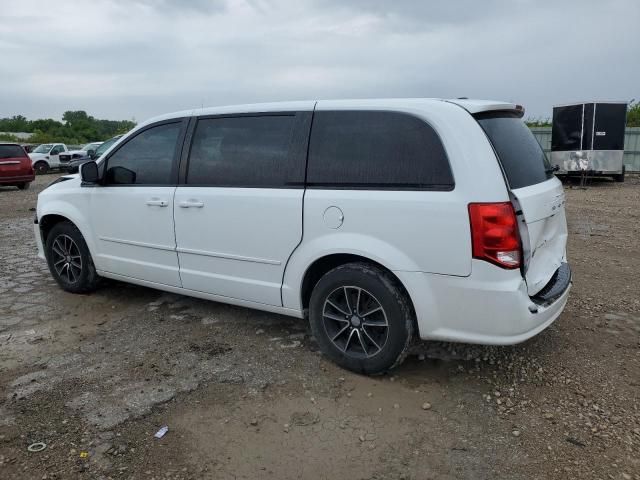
(132, 212)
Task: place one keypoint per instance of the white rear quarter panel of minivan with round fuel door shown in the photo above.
(411, 231)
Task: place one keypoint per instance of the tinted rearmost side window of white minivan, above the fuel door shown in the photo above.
(368, 149)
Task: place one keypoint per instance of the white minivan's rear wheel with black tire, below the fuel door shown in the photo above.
(363, 286)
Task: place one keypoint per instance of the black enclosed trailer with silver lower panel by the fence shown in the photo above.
(589, 138)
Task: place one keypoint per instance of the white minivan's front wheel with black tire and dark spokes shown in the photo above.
(65, 240)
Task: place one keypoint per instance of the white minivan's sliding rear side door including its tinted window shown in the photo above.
(239, 215)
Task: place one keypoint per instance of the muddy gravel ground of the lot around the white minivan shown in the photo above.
(246, 394)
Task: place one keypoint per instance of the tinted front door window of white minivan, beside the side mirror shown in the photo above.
(146, 159)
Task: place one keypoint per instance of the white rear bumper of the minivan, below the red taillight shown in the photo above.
(489, 307)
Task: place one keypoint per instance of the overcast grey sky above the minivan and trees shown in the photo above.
(124, 59)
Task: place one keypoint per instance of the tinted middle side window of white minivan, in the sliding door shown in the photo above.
(244, 151)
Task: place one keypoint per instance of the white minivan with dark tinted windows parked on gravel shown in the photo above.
(381, 221)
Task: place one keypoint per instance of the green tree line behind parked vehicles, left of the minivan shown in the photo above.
(75, 128)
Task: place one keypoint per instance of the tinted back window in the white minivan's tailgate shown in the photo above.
(521, 156)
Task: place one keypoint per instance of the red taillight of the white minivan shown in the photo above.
(494, 233)
